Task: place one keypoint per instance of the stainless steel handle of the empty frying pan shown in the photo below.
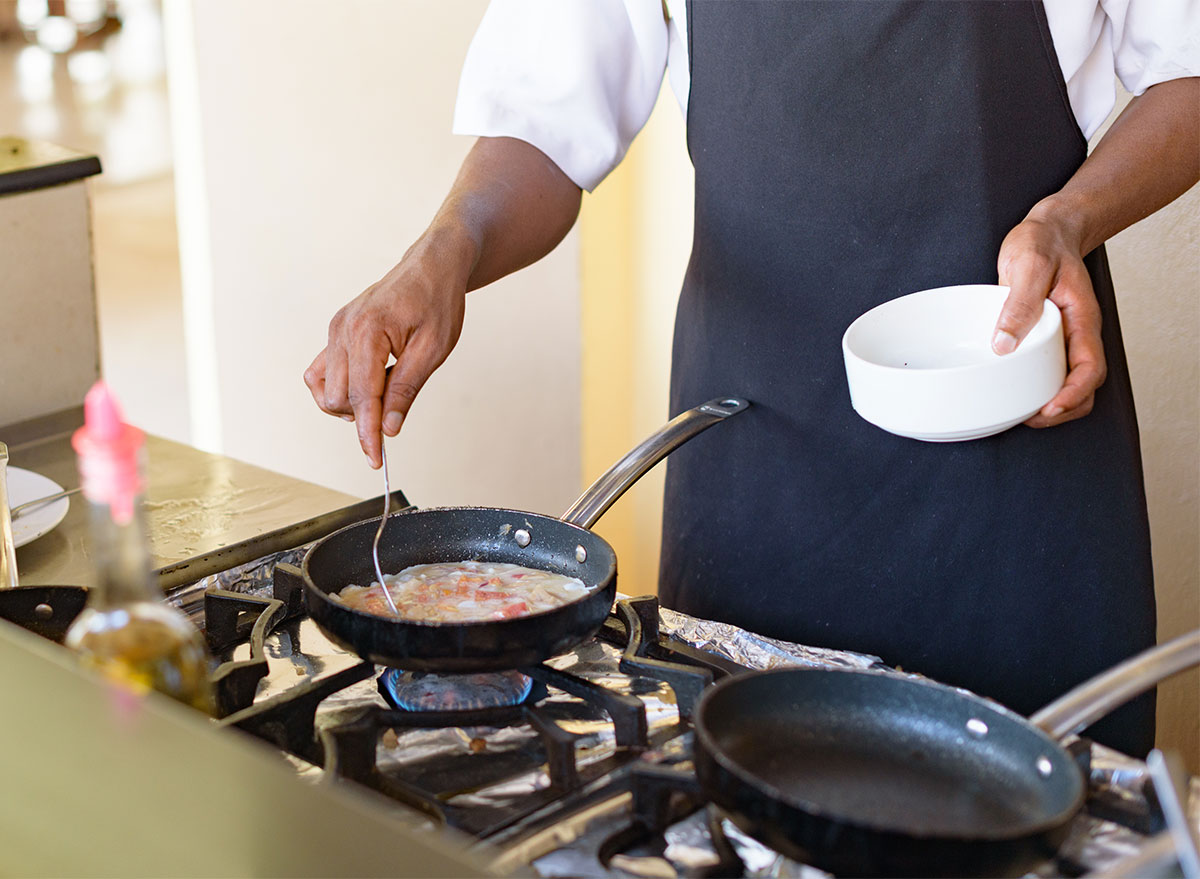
(1094, 699)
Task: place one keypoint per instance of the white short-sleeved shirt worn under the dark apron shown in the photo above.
(579, 79)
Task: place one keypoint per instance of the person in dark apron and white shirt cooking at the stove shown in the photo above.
(847, 153)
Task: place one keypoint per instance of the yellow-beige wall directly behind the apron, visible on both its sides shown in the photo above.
(637, 242)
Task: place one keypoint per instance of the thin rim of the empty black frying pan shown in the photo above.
(770, 792)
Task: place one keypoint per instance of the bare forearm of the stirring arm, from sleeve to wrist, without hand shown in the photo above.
(509, 207)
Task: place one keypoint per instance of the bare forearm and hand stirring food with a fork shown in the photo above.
(508, 208)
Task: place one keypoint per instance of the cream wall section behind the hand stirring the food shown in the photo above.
(314, 147)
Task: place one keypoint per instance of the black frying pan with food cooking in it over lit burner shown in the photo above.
(451, 535)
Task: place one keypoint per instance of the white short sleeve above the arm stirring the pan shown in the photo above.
(578, 80)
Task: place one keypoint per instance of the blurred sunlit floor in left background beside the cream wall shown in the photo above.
(109, 97)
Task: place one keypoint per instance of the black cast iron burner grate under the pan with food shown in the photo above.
(349, 750)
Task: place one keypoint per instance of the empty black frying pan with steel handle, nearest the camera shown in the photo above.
(867, 774)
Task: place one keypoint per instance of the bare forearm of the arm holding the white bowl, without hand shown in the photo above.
(1149, 158)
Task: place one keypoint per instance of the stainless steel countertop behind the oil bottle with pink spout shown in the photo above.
(196, 501)
